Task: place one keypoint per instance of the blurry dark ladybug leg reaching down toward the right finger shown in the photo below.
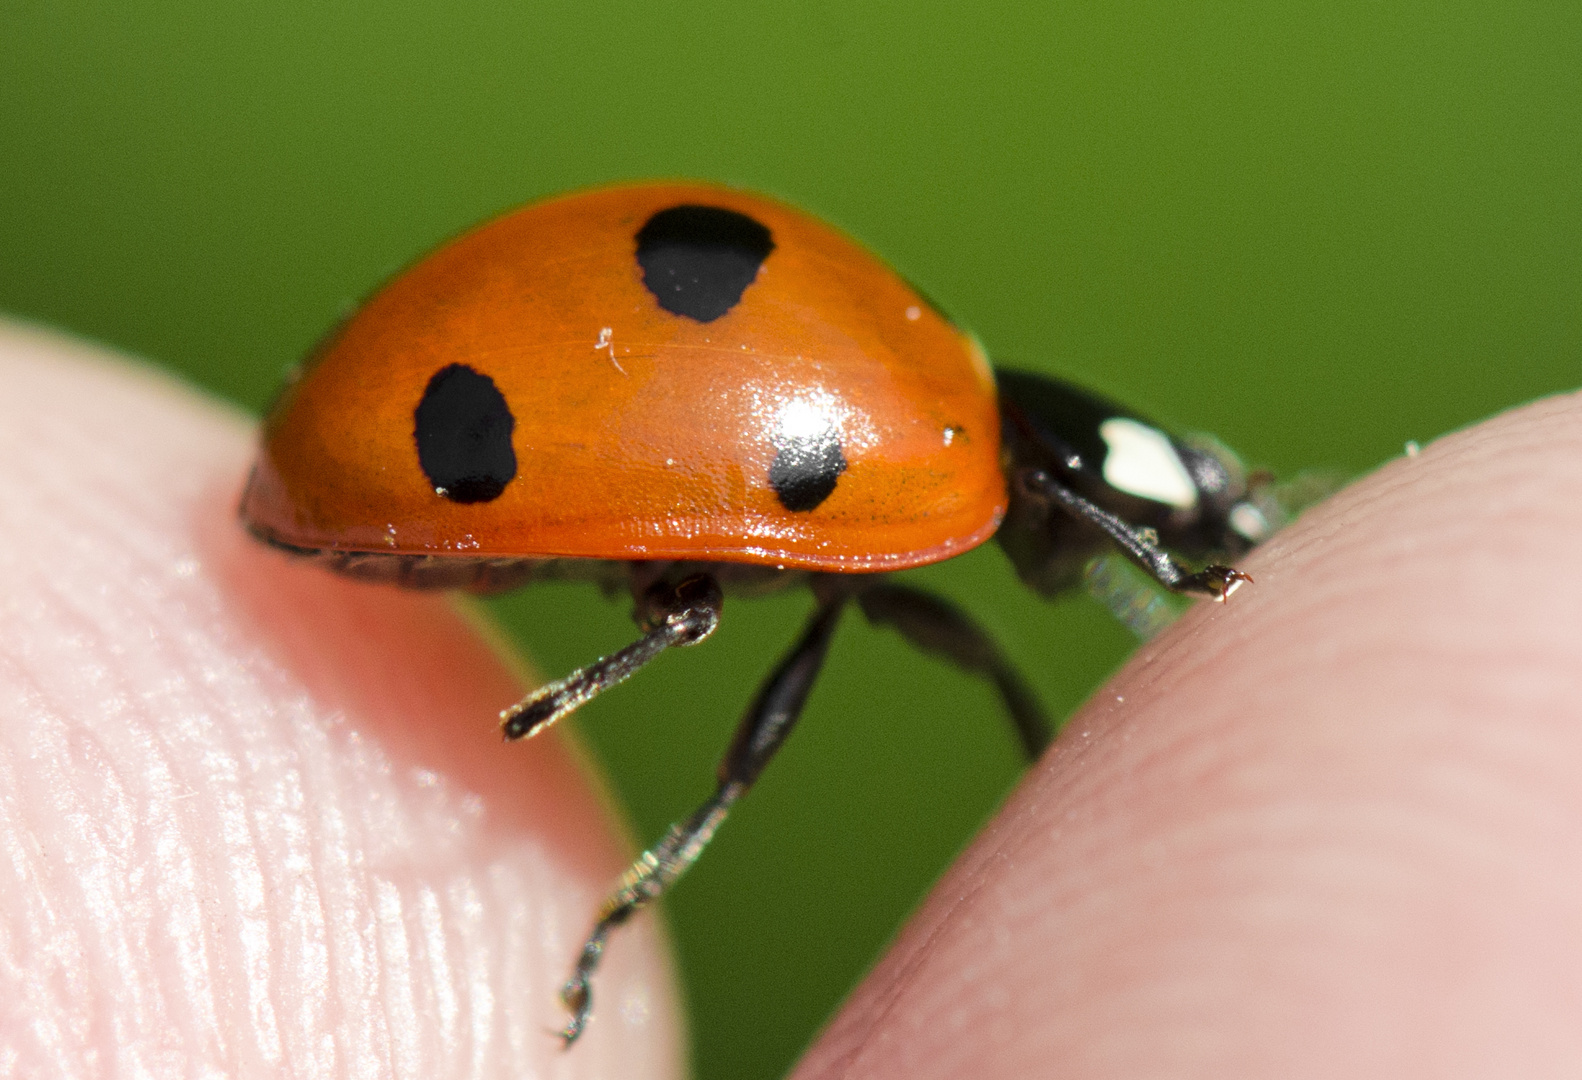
(937, 627)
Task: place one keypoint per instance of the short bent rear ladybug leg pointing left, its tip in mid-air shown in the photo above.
(681, 614)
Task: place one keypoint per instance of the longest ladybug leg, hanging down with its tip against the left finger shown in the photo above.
(763, 730)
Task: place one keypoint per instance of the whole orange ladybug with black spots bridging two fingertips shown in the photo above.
(687, 391)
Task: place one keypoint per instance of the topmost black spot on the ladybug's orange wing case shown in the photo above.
(698, 260)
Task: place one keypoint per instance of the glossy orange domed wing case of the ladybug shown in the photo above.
(638, 432)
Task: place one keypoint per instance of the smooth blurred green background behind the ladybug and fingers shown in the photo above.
(1314, 227)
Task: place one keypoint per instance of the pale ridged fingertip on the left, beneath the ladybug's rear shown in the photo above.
(255, 820)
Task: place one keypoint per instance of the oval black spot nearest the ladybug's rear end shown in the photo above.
(463, 428)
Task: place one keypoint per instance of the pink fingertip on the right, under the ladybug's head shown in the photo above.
(1328, 829)
